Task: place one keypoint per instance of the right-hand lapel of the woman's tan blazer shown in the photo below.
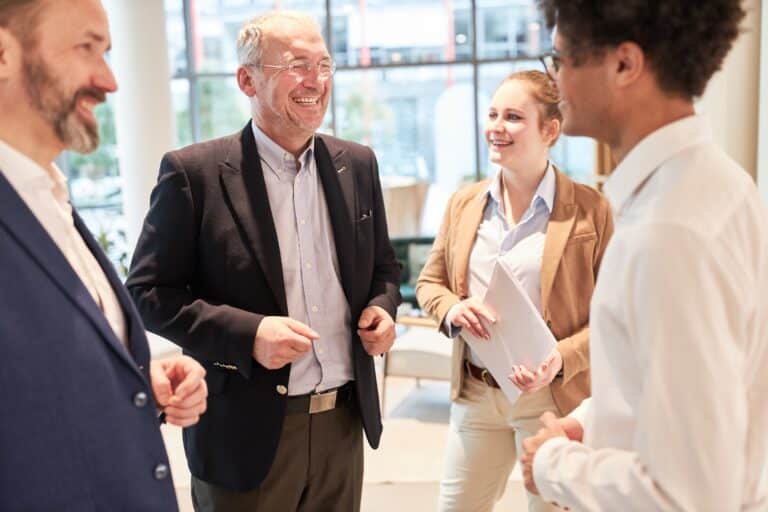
(561, 222)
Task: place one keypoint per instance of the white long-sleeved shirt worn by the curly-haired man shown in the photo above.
(678, 418)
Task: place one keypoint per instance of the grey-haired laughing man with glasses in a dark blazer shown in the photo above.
(265, 255)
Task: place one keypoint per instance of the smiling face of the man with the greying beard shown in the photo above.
(65, 75)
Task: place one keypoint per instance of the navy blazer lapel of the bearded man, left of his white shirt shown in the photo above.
(31, 235)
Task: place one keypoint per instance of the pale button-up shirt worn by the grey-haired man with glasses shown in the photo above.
(310, 267)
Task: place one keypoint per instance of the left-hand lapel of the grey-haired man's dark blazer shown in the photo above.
(243, 180)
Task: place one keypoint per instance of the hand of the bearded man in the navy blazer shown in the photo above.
(178, 384)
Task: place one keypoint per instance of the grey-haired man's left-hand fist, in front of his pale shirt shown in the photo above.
(281, 340)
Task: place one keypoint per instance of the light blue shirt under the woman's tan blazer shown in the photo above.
(519, 248)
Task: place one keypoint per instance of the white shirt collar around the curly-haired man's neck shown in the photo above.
(650, 153)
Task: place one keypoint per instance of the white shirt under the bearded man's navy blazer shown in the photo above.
(45, 194)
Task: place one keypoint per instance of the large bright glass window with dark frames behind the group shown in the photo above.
(414, 81)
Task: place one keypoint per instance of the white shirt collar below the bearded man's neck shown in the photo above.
(23, 173)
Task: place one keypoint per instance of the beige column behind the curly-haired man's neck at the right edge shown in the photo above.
(731, 98)
